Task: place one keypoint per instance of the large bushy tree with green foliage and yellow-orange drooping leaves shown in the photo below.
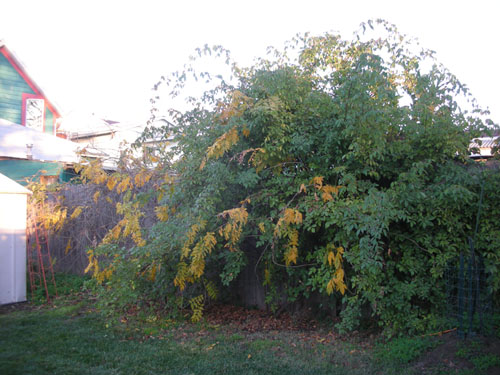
(345, 166)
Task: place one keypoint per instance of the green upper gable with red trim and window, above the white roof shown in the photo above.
(22, 101)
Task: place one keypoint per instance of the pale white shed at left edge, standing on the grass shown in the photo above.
(13, 208)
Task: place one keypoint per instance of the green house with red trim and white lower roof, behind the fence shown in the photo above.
(29, 146)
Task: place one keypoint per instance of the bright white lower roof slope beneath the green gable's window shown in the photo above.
(15, 141)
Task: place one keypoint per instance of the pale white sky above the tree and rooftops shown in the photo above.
(105, 56)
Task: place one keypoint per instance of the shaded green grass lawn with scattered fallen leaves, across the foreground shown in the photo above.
(70, 337)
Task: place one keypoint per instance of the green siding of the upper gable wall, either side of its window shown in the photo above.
(12, 87)
